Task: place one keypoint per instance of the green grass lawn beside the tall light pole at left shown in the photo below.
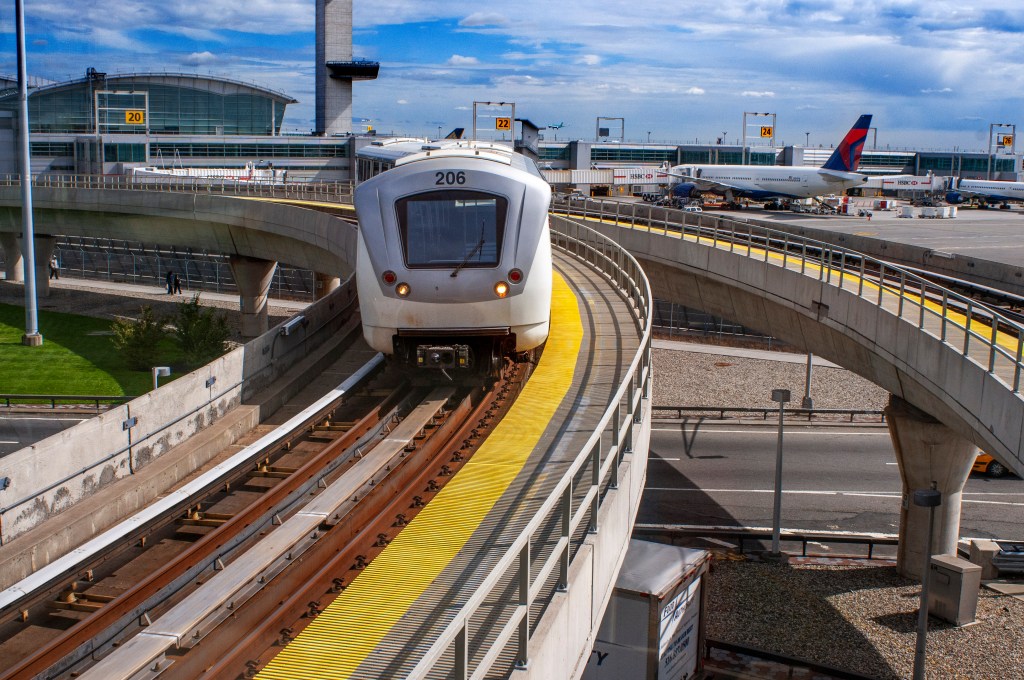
(77, 358)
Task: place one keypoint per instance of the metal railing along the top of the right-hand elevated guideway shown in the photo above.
(916, 300)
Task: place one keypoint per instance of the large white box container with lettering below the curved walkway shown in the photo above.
(654, 628)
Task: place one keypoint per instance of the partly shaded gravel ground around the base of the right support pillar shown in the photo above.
(862, 619)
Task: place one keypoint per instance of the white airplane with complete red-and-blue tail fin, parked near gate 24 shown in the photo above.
(761, 182)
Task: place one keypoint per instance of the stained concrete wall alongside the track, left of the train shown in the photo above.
(55, 475)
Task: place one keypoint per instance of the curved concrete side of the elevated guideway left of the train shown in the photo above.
(232, 226)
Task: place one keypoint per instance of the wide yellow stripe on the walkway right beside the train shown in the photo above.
(342, 639)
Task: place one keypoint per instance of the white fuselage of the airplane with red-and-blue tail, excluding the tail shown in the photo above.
(757, 182)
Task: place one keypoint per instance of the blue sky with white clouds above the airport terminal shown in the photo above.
(934, 74)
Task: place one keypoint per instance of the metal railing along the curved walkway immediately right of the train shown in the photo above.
(517, 566)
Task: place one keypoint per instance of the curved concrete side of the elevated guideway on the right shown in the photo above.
(841, 327)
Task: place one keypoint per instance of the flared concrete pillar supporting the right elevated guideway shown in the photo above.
(928, 453)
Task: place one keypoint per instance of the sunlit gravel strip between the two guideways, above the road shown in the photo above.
(692, 379)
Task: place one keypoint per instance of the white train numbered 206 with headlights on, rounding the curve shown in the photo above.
(454, 262)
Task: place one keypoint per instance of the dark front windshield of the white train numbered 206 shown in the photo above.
(452, 229)
